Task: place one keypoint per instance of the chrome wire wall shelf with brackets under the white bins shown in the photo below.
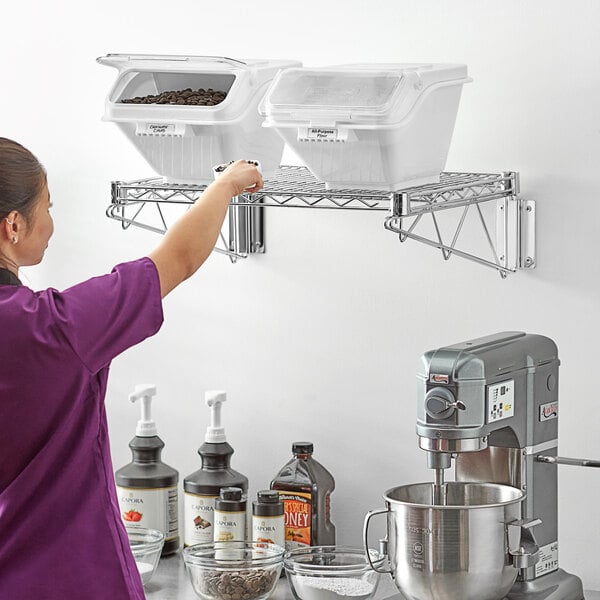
(508, 233)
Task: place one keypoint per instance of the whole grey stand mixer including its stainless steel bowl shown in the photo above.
(491, 405)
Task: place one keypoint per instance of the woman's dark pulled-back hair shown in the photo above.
(21, 178)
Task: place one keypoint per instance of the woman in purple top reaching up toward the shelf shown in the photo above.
(61, 536)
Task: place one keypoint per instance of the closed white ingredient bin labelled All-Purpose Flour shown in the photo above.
(380, 126)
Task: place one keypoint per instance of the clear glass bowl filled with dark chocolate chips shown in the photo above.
(234, 570)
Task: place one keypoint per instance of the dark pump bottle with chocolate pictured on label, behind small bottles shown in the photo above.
(203, 487)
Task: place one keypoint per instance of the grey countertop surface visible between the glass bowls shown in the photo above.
(171, 582)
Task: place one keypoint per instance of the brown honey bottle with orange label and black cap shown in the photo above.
(305, 487)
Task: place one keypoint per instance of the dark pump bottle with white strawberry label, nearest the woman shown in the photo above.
(147, 487)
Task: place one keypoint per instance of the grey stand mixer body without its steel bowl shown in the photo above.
(491, 404)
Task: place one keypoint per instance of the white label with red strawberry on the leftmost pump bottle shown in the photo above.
(154, 508)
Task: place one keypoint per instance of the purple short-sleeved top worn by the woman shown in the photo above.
(61, 535)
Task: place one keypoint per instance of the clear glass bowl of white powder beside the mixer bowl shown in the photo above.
(331, 573)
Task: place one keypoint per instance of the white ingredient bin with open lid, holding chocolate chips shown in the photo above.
(183, 143)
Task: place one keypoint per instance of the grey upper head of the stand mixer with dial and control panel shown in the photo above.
(477, 390)
